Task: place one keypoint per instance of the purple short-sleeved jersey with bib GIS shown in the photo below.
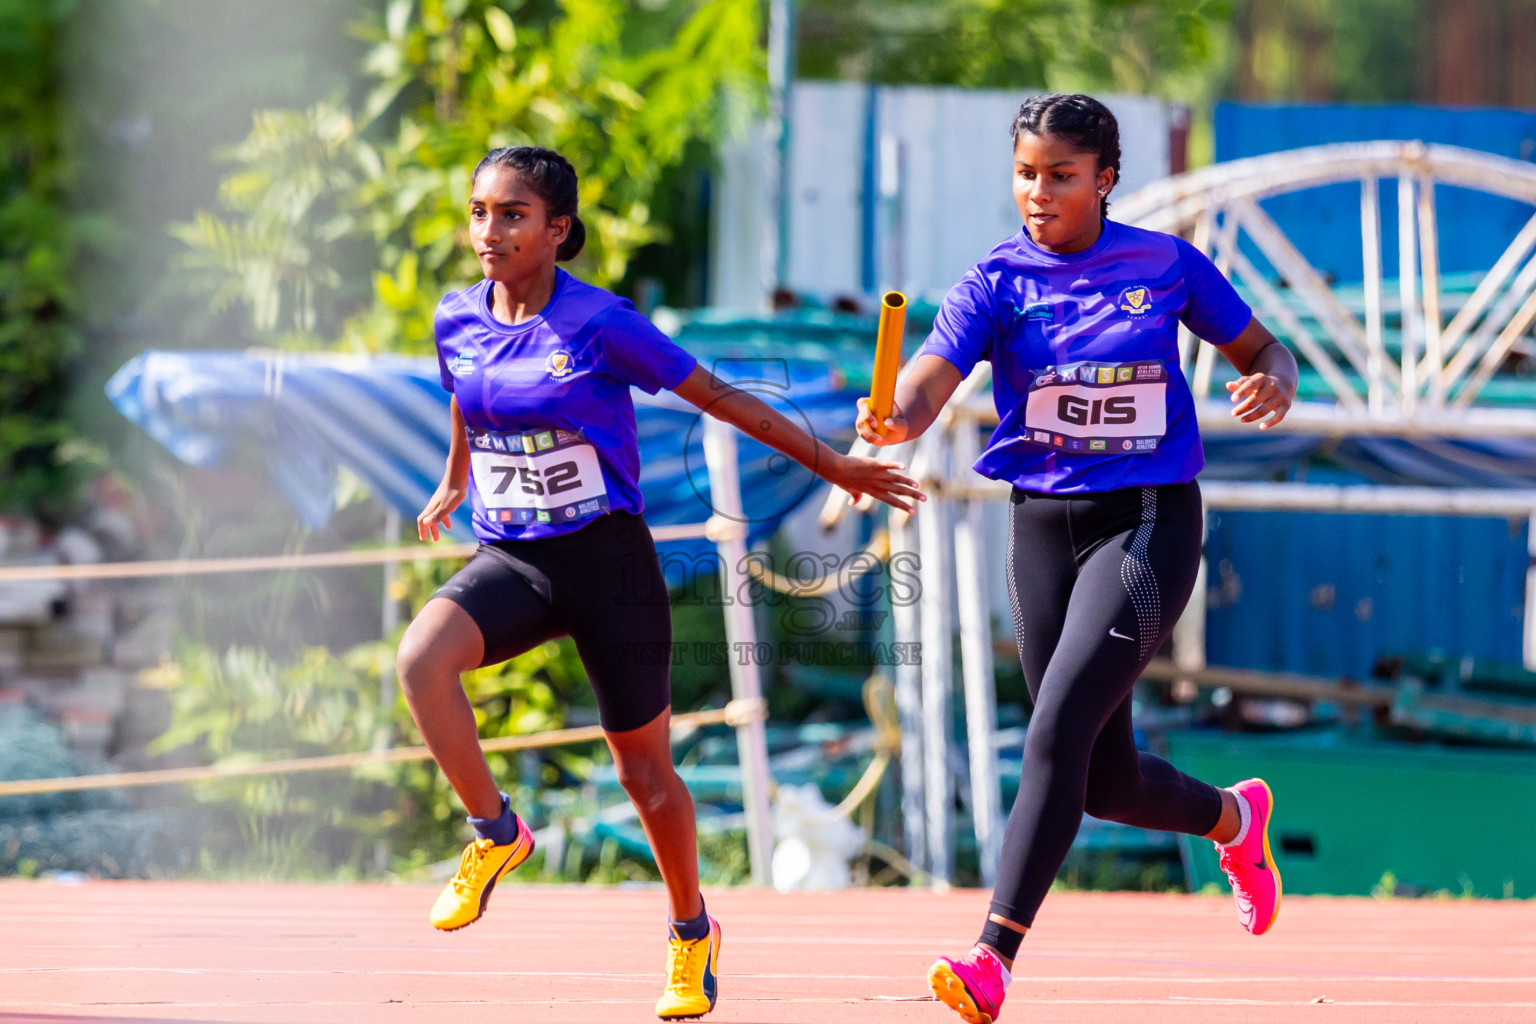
(1085, 357)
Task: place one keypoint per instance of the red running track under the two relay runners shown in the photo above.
(288, 954)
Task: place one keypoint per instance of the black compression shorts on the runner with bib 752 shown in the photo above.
(603, 587)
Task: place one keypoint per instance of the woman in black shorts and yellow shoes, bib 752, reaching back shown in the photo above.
(545, 446)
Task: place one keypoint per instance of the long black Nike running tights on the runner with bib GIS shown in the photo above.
(1096, 584)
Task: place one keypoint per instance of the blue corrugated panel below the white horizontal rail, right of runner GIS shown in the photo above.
(1326, 593)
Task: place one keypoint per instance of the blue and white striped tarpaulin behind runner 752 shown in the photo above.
(386, 420)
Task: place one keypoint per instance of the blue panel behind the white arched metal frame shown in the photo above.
(1325, 223)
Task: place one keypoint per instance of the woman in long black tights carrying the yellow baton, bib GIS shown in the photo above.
(1079, 317)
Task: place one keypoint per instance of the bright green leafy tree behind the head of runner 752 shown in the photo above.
(346, 222)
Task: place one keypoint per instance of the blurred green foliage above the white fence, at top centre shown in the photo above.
(1153, 47)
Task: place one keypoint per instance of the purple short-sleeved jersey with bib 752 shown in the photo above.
(548, 406)
